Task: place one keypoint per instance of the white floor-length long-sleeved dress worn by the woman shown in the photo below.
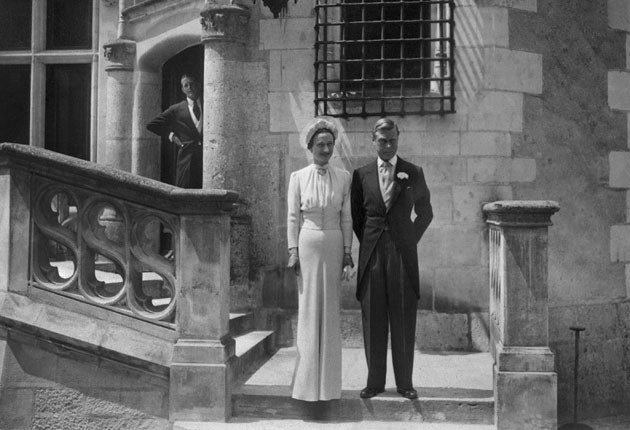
(319, 223)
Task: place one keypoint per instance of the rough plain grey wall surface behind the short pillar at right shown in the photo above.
(577, 136)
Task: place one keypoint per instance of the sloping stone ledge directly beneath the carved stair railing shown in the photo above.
(94, 336)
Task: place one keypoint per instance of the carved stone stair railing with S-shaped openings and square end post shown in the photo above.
(84, 236)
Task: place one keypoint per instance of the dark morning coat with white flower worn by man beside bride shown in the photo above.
(370, 216)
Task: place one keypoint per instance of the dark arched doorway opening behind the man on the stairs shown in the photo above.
(189, 61)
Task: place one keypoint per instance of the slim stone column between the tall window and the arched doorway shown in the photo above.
(117, 150)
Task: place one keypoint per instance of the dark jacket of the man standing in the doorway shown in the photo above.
(176, 119)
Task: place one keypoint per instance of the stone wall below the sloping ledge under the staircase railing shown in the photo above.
(48, 386)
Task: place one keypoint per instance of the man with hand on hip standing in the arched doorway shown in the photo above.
(182, 124)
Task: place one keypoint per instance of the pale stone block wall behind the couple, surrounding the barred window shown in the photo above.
(467, 157)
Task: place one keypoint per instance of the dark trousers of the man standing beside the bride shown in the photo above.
(386, 282)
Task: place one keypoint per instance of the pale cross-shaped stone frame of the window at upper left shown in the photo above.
(38, 57)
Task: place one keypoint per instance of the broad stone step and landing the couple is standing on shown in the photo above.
(455, 388)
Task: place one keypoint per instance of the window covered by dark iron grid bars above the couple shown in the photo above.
(384, 57)
